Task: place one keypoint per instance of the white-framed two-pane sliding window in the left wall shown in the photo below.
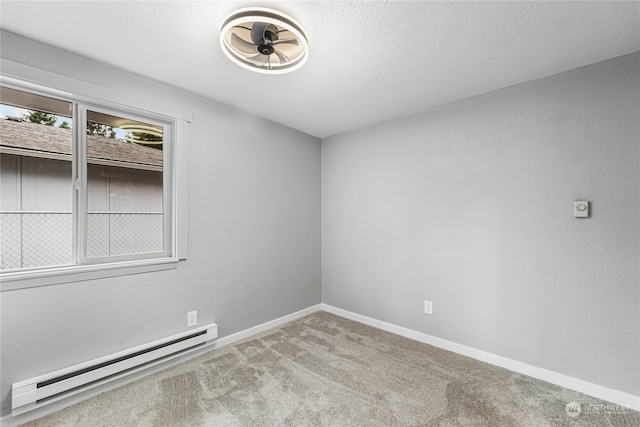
(85, 186)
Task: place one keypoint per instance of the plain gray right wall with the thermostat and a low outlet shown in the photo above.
(471, 206)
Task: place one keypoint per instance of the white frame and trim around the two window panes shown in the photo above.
(29, 79)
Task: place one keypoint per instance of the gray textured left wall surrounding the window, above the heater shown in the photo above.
(253, 238)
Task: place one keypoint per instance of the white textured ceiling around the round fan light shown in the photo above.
(369, 61)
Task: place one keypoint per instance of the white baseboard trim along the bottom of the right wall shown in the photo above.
(598, 391)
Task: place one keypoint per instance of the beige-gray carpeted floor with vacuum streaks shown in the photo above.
(324, 370)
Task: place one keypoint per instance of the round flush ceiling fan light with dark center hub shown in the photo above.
(264, 40)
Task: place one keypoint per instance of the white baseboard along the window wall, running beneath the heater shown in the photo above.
(14, 421)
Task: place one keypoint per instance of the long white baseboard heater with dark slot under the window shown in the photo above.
(36, 392)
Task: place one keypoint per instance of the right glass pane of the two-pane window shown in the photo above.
(124, 185)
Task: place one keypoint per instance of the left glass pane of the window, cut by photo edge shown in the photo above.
(36, 181)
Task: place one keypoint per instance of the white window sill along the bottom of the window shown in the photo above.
(12, 281)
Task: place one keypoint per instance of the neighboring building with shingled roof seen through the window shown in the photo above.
(125, 196)
